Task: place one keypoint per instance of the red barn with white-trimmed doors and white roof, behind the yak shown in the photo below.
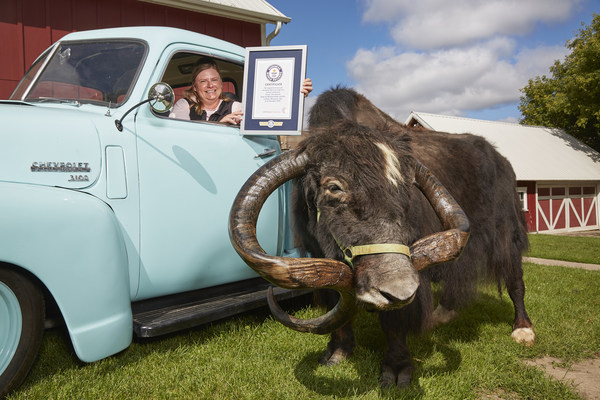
(558, 177)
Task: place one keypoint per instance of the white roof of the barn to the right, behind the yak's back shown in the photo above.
(536, 153)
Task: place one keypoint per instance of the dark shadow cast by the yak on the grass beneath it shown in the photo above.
(441, 342)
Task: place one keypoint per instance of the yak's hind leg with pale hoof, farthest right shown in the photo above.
(522, 326)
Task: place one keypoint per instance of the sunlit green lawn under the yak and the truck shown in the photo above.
(254, 357)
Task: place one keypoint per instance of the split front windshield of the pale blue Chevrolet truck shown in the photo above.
(87, 72)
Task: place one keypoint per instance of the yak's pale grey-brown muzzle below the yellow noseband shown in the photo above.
(386, 281)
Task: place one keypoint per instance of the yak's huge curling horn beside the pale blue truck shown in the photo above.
(291, 273)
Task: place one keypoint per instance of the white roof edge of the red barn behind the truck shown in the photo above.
(256, 11)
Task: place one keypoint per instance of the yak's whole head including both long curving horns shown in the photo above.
(354, 208)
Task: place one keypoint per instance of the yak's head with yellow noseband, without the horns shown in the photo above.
(353, 204)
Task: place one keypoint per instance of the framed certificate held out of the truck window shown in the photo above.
(272, 102)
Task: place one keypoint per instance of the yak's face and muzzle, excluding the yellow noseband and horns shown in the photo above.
(361, 197)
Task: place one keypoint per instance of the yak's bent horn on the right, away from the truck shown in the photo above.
(446, 245)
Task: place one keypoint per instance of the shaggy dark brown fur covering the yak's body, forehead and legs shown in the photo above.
(344, 129)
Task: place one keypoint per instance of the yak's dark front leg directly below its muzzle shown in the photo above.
(397, 367)
